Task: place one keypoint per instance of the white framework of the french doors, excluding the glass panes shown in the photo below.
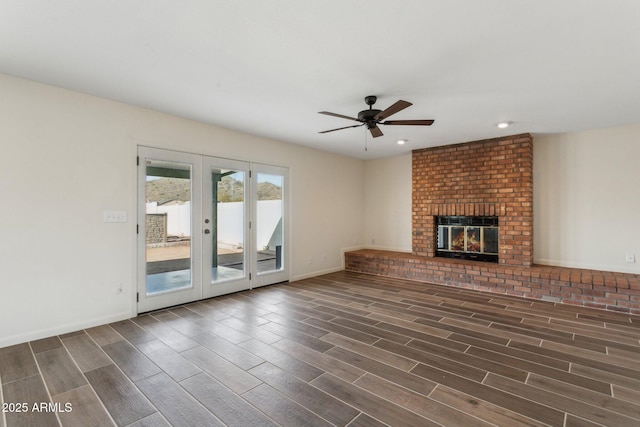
(201, 283)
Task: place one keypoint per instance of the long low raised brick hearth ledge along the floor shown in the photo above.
(589, 288)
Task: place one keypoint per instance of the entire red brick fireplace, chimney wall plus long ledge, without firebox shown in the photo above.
(490, 178)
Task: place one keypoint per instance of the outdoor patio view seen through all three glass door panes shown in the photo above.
(169, 226)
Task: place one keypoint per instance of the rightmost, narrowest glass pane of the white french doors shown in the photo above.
(269, 210)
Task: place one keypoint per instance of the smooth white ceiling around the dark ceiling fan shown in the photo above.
(267, 67)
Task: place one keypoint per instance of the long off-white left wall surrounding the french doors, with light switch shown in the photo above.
(68, 157)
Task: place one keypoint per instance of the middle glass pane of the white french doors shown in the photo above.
(228, 225)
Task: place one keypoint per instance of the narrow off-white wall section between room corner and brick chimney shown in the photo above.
(388, 203)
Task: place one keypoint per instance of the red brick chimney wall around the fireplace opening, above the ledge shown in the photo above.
(491, 177)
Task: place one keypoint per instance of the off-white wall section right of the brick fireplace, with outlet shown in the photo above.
(587, 199)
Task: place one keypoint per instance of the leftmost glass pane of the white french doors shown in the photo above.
(168, 226)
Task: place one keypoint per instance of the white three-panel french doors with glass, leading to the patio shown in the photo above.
(207, 226)
